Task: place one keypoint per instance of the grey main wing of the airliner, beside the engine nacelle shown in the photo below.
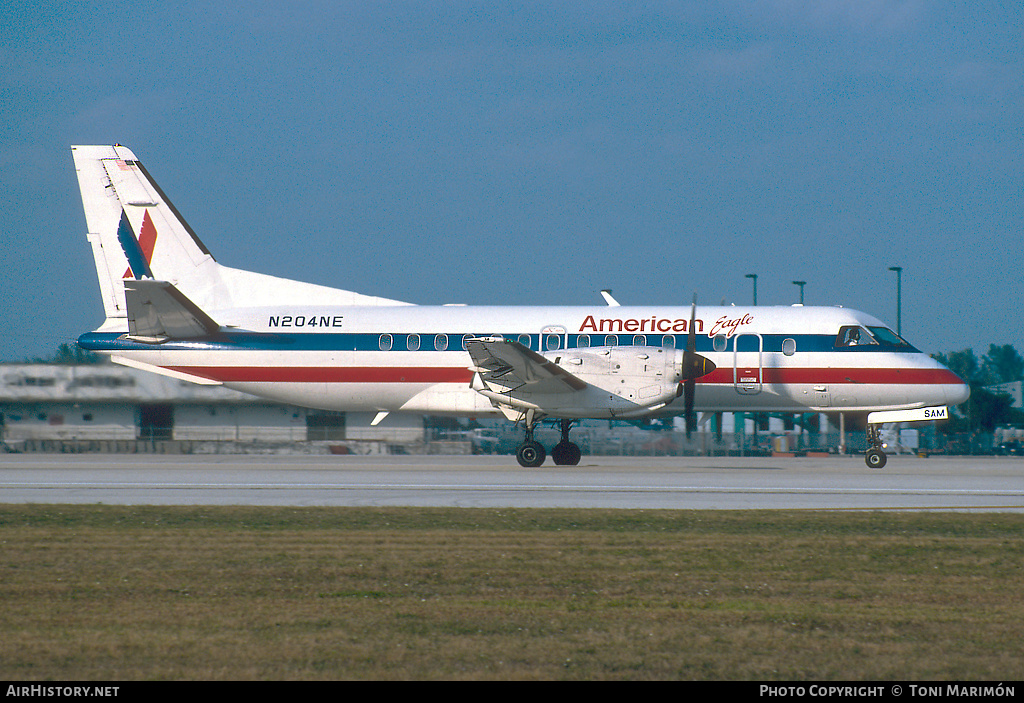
(510, 367)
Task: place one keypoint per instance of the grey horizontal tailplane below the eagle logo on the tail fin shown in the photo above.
(158, 312)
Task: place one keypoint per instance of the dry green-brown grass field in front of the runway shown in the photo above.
(112, 593)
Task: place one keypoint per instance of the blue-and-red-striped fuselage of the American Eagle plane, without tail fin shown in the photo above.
(413, 359)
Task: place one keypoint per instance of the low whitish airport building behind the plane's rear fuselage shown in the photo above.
(87, 405)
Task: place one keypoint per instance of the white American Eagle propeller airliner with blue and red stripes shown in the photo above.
(172, 309)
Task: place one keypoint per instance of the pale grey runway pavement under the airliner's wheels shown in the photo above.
(684, 484)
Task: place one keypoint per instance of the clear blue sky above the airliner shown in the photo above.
(536, 153)
